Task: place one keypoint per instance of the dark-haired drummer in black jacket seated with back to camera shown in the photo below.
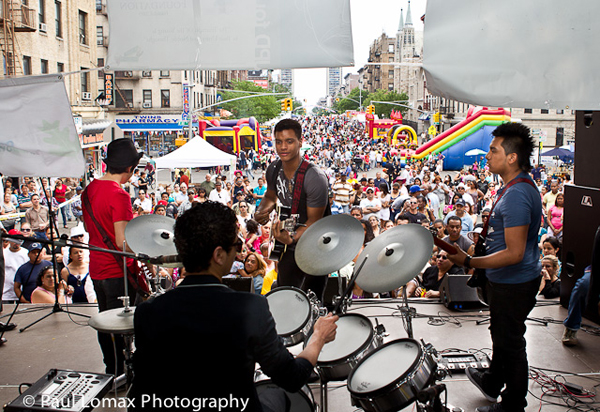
(216, 334)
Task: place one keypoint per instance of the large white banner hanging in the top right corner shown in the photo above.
(514, 53)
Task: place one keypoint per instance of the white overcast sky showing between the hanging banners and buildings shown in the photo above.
(370, 18)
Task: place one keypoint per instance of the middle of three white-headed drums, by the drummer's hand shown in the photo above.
(354, 338)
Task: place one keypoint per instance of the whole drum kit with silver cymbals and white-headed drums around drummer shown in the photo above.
(381, 377)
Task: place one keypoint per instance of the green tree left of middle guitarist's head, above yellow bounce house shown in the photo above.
(263, 108)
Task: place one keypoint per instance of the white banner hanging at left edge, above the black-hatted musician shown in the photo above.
(38, 135)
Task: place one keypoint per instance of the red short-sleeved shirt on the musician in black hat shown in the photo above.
(110, 204)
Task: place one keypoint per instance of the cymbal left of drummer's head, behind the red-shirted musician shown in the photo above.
(151, 235)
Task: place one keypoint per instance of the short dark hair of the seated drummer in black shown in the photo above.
(200, 230)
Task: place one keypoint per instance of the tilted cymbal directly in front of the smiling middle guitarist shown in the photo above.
(329, 244)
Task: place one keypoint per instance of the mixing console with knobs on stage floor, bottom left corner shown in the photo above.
(63, 390)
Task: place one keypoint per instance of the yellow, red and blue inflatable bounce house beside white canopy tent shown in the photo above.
(231, 136)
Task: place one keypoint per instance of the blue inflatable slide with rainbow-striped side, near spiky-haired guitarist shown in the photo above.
(475, 132)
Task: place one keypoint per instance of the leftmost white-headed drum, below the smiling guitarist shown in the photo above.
(294, 314)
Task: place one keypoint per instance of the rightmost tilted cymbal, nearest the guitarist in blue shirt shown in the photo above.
(395, 257)
